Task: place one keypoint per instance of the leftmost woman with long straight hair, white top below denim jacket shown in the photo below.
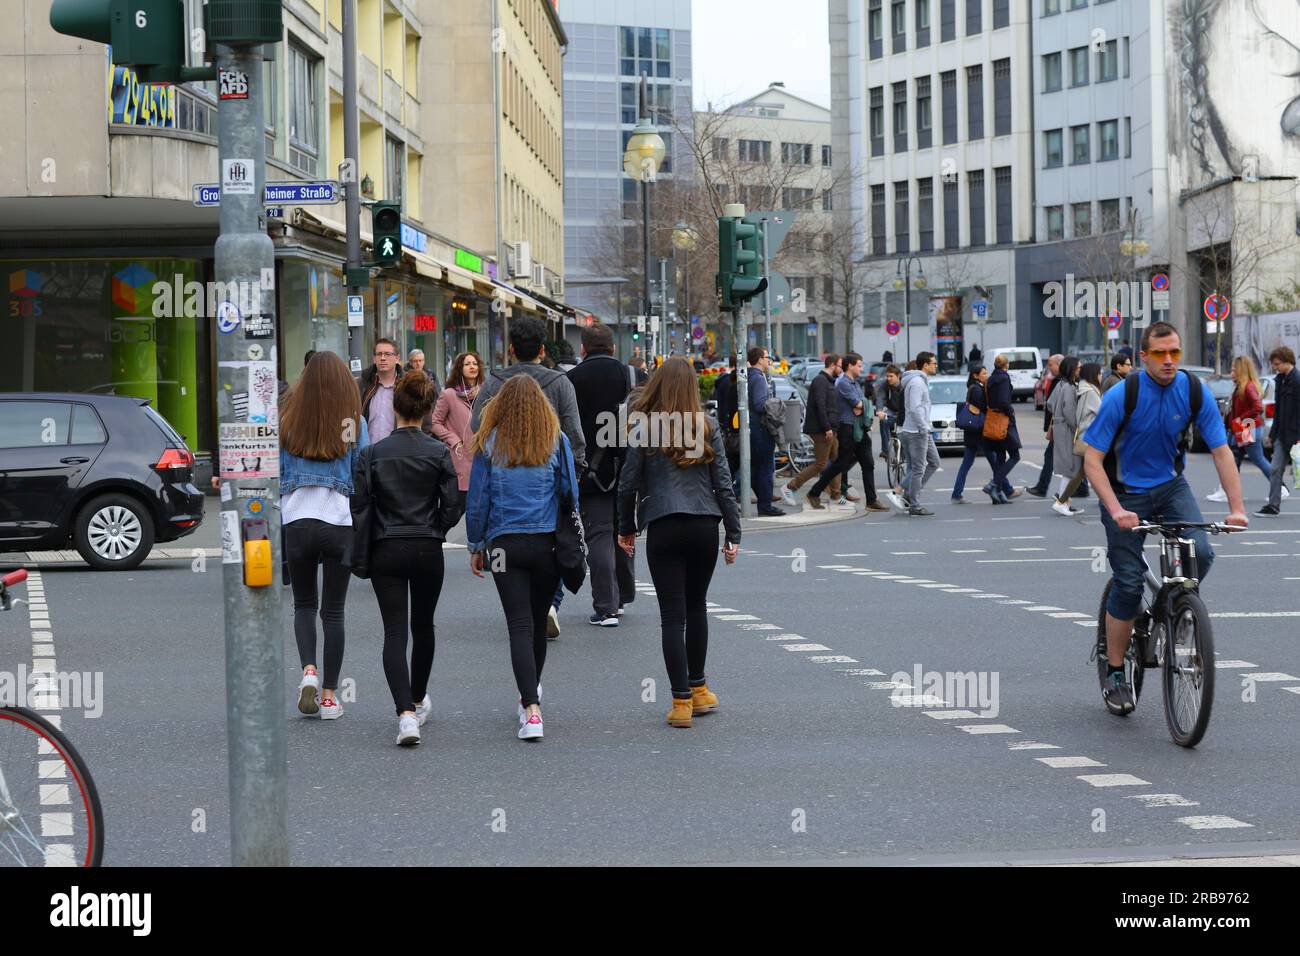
(322, 434)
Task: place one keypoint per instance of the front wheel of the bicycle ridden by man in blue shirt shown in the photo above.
(1189, 671)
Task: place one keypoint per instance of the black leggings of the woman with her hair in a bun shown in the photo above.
(398, 566)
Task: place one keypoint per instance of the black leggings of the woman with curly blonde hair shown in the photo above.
(527, 576)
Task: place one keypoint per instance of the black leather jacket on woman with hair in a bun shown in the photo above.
(414, 483)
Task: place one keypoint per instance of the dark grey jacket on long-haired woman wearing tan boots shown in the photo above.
(668, 490)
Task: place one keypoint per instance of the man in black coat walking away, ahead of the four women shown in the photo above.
(601, 384)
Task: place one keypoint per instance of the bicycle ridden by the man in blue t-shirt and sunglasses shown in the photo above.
(1172, 605)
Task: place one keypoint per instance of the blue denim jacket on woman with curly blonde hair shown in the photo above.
(517, 501)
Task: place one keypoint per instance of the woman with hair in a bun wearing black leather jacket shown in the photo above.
(409, 485)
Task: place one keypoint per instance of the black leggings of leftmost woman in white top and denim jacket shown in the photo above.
(309, 544)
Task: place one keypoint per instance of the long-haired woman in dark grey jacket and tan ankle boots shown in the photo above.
(678, 466)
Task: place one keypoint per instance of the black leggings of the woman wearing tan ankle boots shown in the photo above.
(683, 553)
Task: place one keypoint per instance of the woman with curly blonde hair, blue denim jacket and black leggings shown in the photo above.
(523, 466)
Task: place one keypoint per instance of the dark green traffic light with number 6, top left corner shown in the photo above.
(145, 34)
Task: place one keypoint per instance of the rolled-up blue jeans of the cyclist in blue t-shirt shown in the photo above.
(1172, 501)
